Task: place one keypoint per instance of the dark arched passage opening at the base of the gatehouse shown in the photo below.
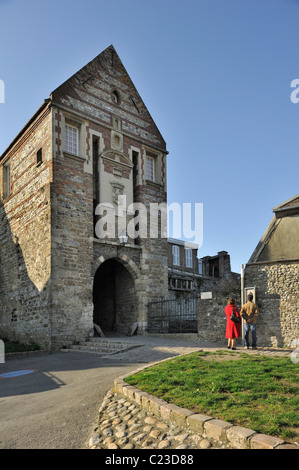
(114, 297)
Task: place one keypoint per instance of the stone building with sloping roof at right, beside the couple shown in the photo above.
(273, 270)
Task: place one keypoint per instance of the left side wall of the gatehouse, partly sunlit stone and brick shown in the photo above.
(25, 238)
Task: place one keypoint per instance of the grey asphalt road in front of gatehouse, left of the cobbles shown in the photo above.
(56, 405)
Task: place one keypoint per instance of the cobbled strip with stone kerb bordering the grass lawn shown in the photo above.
(185, 428)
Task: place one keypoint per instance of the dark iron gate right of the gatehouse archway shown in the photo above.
(173, 316)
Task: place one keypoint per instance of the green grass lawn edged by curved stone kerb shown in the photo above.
(257, 392)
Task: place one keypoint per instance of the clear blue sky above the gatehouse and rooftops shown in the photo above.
(215, 76)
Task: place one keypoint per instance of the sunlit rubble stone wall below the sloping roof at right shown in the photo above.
(277, 287)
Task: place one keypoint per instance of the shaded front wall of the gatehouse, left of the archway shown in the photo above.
(72, 252)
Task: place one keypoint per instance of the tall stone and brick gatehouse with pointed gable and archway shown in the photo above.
(92, 142)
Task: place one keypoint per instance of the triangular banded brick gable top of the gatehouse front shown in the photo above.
(103, 88)
